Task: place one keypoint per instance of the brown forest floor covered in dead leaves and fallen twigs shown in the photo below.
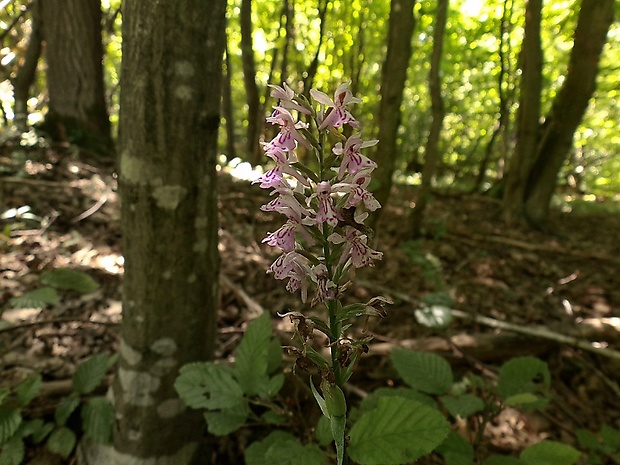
(564, 282)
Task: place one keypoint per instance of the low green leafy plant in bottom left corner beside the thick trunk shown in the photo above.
(80, 413)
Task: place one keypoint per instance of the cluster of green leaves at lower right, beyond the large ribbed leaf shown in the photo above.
(522, 383)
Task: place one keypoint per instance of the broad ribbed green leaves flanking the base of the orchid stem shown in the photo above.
(396, 429)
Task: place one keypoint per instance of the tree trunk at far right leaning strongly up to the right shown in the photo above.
(542, 149)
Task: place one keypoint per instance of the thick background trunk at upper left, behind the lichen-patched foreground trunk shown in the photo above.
(78, 112)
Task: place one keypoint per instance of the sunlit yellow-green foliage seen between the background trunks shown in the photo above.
(353, 48)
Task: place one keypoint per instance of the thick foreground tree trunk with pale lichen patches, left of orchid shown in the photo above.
(169, 120)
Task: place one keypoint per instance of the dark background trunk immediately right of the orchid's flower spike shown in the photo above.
(393, 78)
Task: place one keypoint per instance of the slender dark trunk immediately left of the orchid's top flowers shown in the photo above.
(249, 81)
